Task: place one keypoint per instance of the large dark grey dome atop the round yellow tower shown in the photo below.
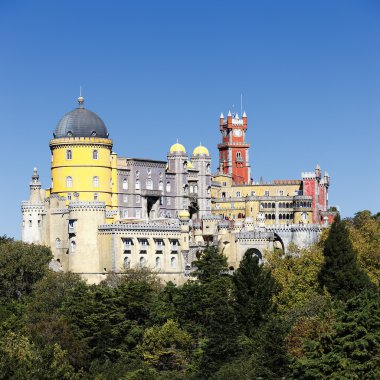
(81, 123)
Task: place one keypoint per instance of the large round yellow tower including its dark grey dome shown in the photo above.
(81, 164)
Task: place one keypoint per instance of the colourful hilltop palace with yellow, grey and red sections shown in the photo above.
(103, 212)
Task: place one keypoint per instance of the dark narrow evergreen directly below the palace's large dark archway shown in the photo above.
(254, 290)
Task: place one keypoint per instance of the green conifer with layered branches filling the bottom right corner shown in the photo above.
(351, 348)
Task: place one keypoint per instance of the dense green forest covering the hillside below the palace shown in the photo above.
(310, 314)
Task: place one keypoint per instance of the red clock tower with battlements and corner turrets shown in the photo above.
(234, 151)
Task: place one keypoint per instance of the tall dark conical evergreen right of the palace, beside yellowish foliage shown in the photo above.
(340, 273)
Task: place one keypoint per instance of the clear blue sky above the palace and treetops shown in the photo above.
(155, 71)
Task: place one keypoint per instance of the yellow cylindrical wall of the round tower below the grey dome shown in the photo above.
(82, 168)
